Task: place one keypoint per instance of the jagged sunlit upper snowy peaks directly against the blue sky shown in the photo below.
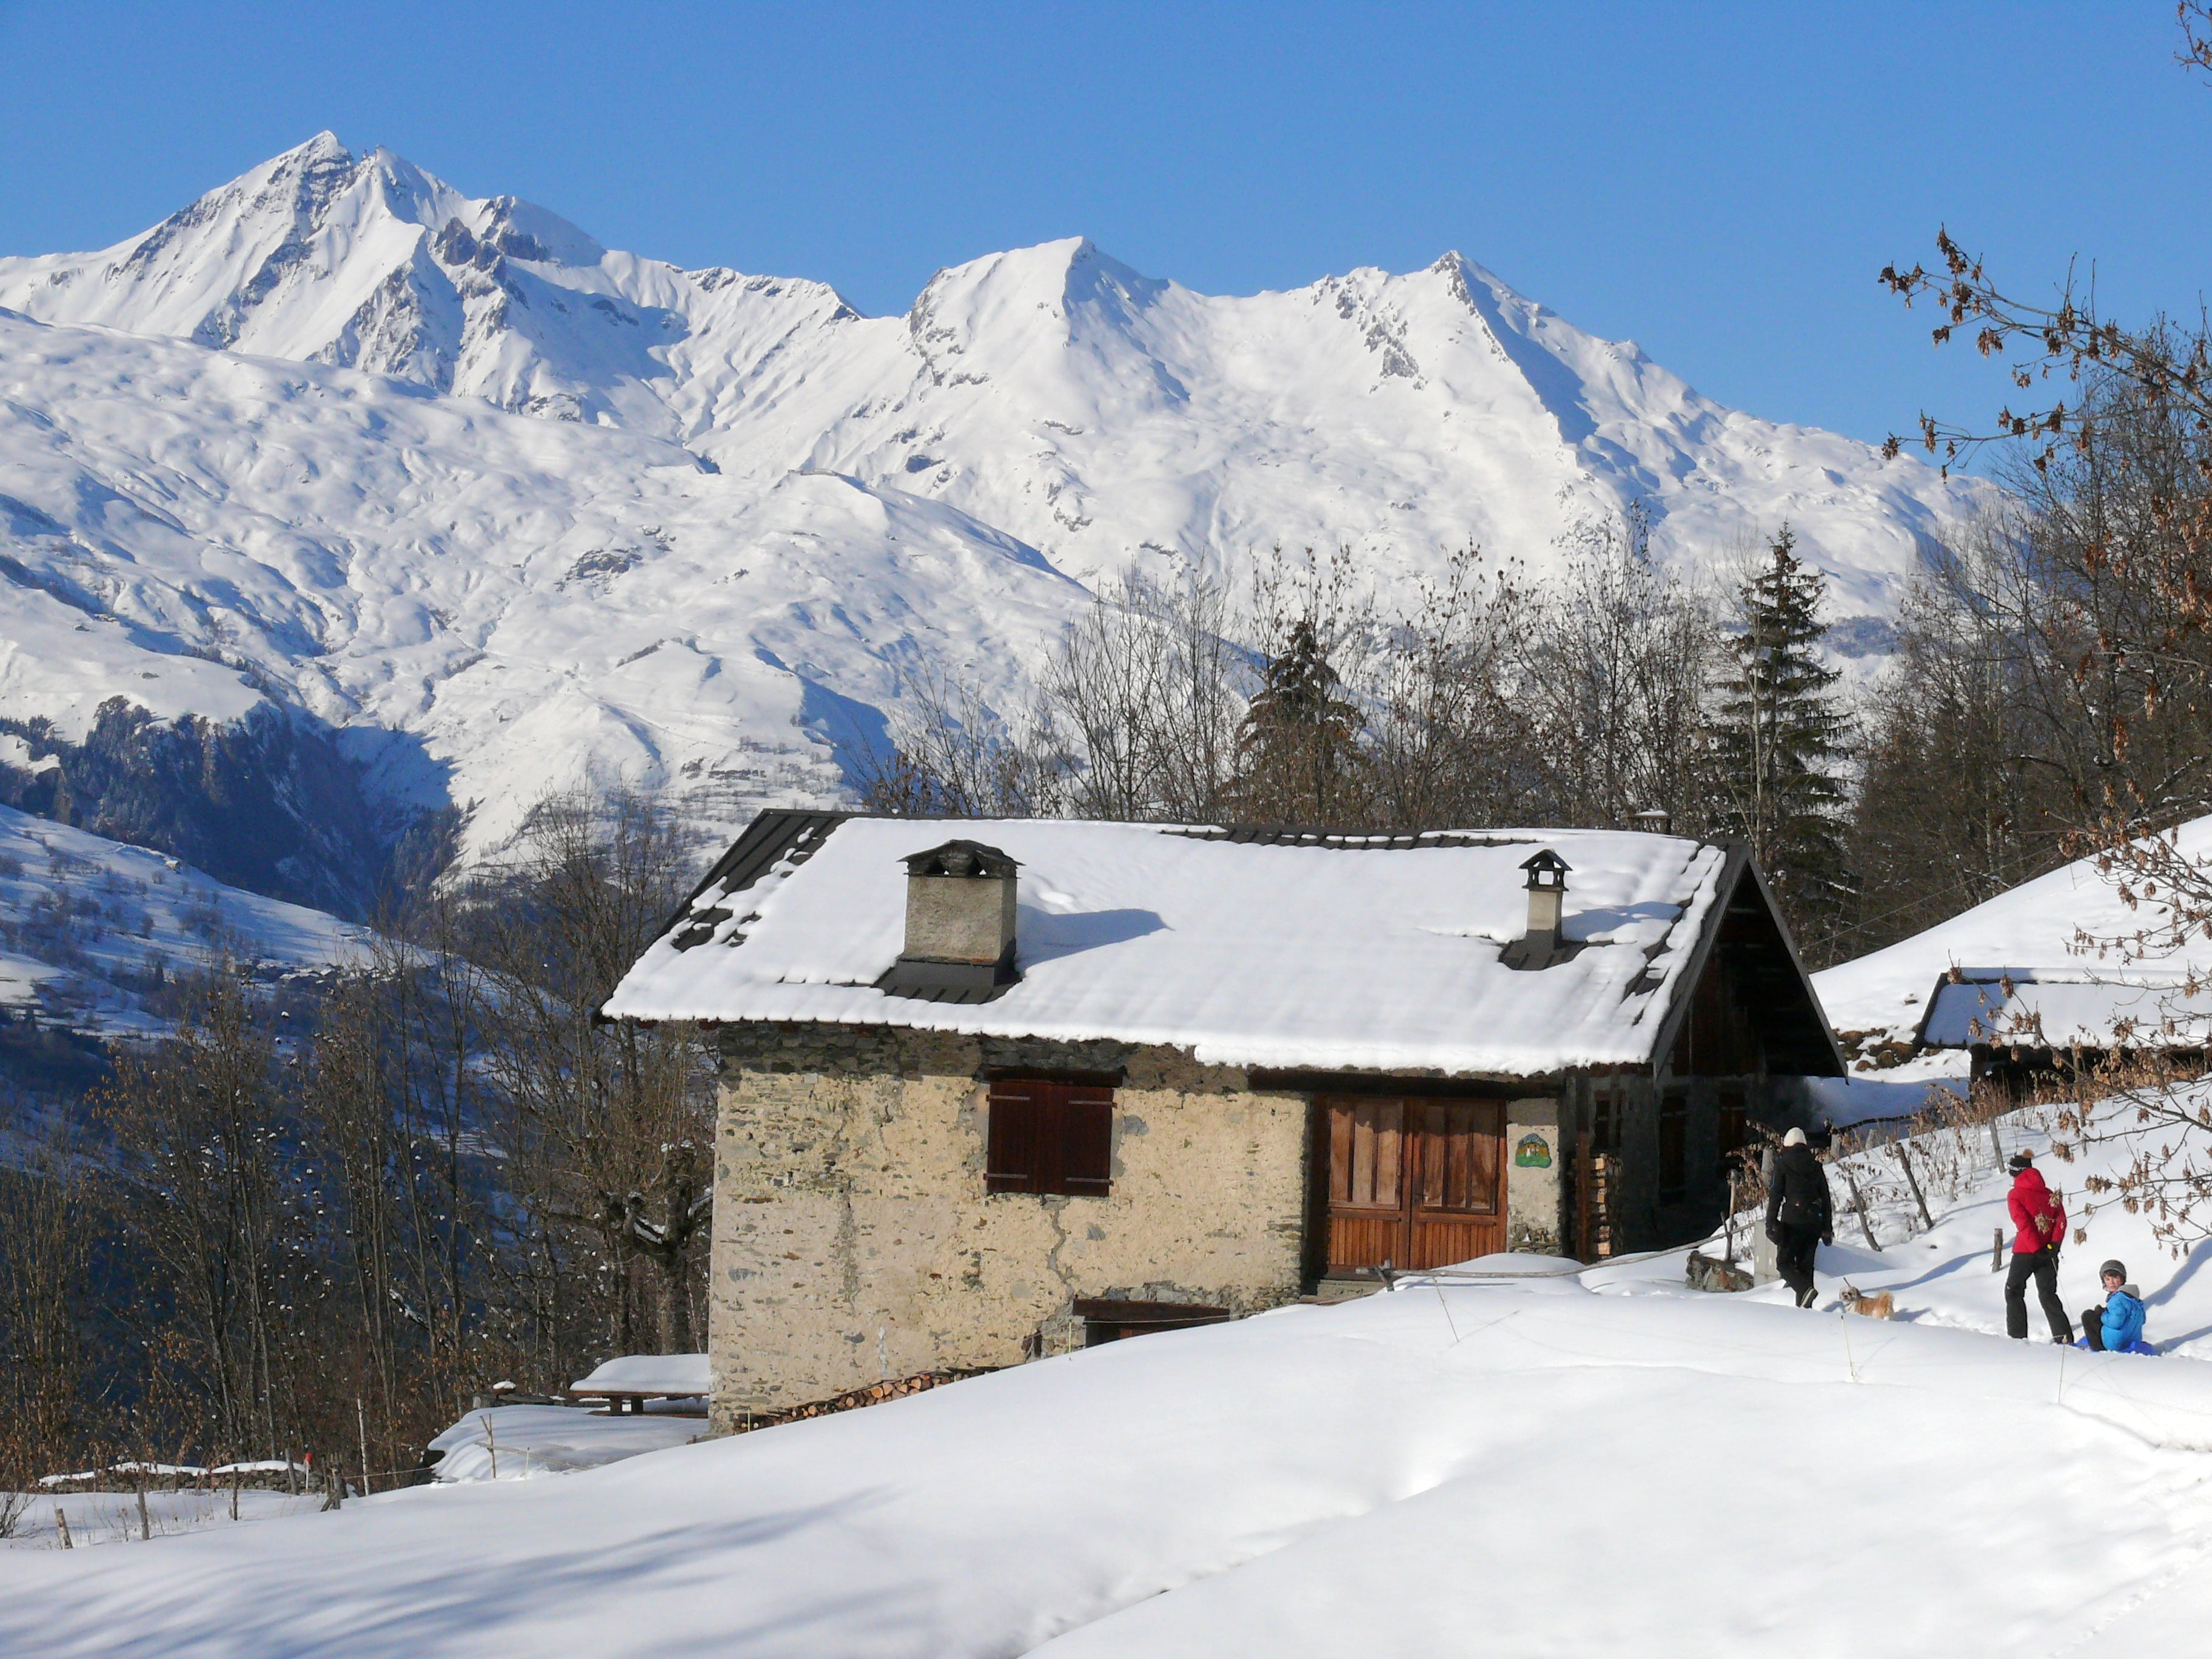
(1089, 410)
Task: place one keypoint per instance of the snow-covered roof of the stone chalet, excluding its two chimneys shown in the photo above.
(1249, 952)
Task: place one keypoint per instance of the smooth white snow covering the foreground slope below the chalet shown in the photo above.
(1596, 1463)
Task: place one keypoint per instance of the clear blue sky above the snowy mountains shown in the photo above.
(1715, 182)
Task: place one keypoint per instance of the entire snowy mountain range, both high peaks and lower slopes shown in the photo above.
(510, 508)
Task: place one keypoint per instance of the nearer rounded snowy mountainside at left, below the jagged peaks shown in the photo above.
(492, 605)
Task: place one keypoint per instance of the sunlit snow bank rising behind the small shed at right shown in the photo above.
(2027, 935)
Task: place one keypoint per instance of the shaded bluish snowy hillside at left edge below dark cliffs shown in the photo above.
(87, 926)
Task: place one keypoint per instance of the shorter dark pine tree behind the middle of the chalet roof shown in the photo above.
(1297, 749)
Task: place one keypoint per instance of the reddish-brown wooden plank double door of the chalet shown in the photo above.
(1415, 1182)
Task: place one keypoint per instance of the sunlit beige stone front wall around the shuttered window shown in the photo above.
(855, 1242)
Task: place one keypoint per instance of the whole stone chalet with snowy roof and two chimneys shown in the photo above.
(999, 1087)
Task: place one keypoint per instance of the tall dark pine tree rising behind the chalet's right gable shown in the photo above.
(1782, 744)
